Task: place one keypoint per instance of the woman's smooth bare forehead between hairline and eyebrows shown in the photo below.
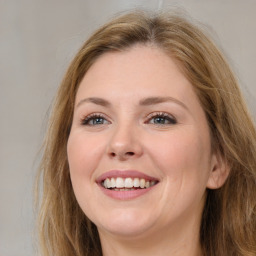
(138, 71)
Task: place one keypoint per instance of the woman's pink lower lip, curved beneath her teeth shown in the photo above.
(125, 195)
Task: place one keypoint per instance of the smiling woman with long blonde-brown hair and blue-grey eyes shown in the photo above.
(150, 149)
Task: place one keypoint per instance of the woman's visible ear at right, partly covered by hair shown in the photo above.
(219, 172)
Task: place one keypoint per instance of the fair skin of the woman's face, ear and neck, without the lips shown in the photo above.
(128, 135)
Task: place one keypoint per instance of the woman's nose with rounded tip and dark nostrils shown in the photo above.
(124, 143)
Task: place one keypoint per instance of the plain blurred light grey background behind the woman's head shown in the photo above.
(38, 38)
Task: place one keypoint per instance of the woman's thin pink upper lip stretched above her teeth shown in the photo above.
(124, 174)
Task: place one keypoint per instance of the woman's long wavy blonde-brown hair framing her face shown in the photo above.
(229, 219)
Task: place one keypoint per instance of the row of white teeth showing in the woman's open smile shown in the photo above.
(125, 184)
